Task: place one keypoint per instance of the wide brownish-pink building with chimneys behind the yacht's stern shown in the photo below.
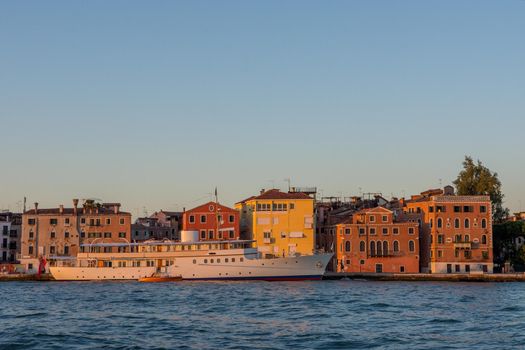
(60, 232)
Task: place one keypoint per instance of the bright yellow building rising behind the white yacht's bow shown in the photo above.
(281, 223)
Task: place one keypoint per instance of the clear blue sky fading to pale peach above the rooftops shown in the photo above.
(155, 103)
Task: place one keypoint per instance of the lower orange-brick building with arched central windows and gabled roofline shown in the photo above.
(376, 240)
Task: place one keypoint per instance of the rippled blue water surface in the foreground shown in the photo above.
(262, 315)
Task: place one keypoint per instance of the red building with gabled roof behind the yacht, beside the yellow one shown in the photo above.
(213, 221)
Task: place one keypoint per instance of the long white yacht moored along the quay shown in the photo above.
(190, 259)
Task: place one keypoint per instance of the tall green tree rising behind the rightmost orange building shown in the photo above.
(476, 179)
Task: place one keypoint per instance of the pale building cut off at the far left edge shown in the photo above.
(10, 232)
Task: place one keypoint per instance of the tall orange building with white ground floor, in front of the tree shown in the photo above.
(456, 231)
